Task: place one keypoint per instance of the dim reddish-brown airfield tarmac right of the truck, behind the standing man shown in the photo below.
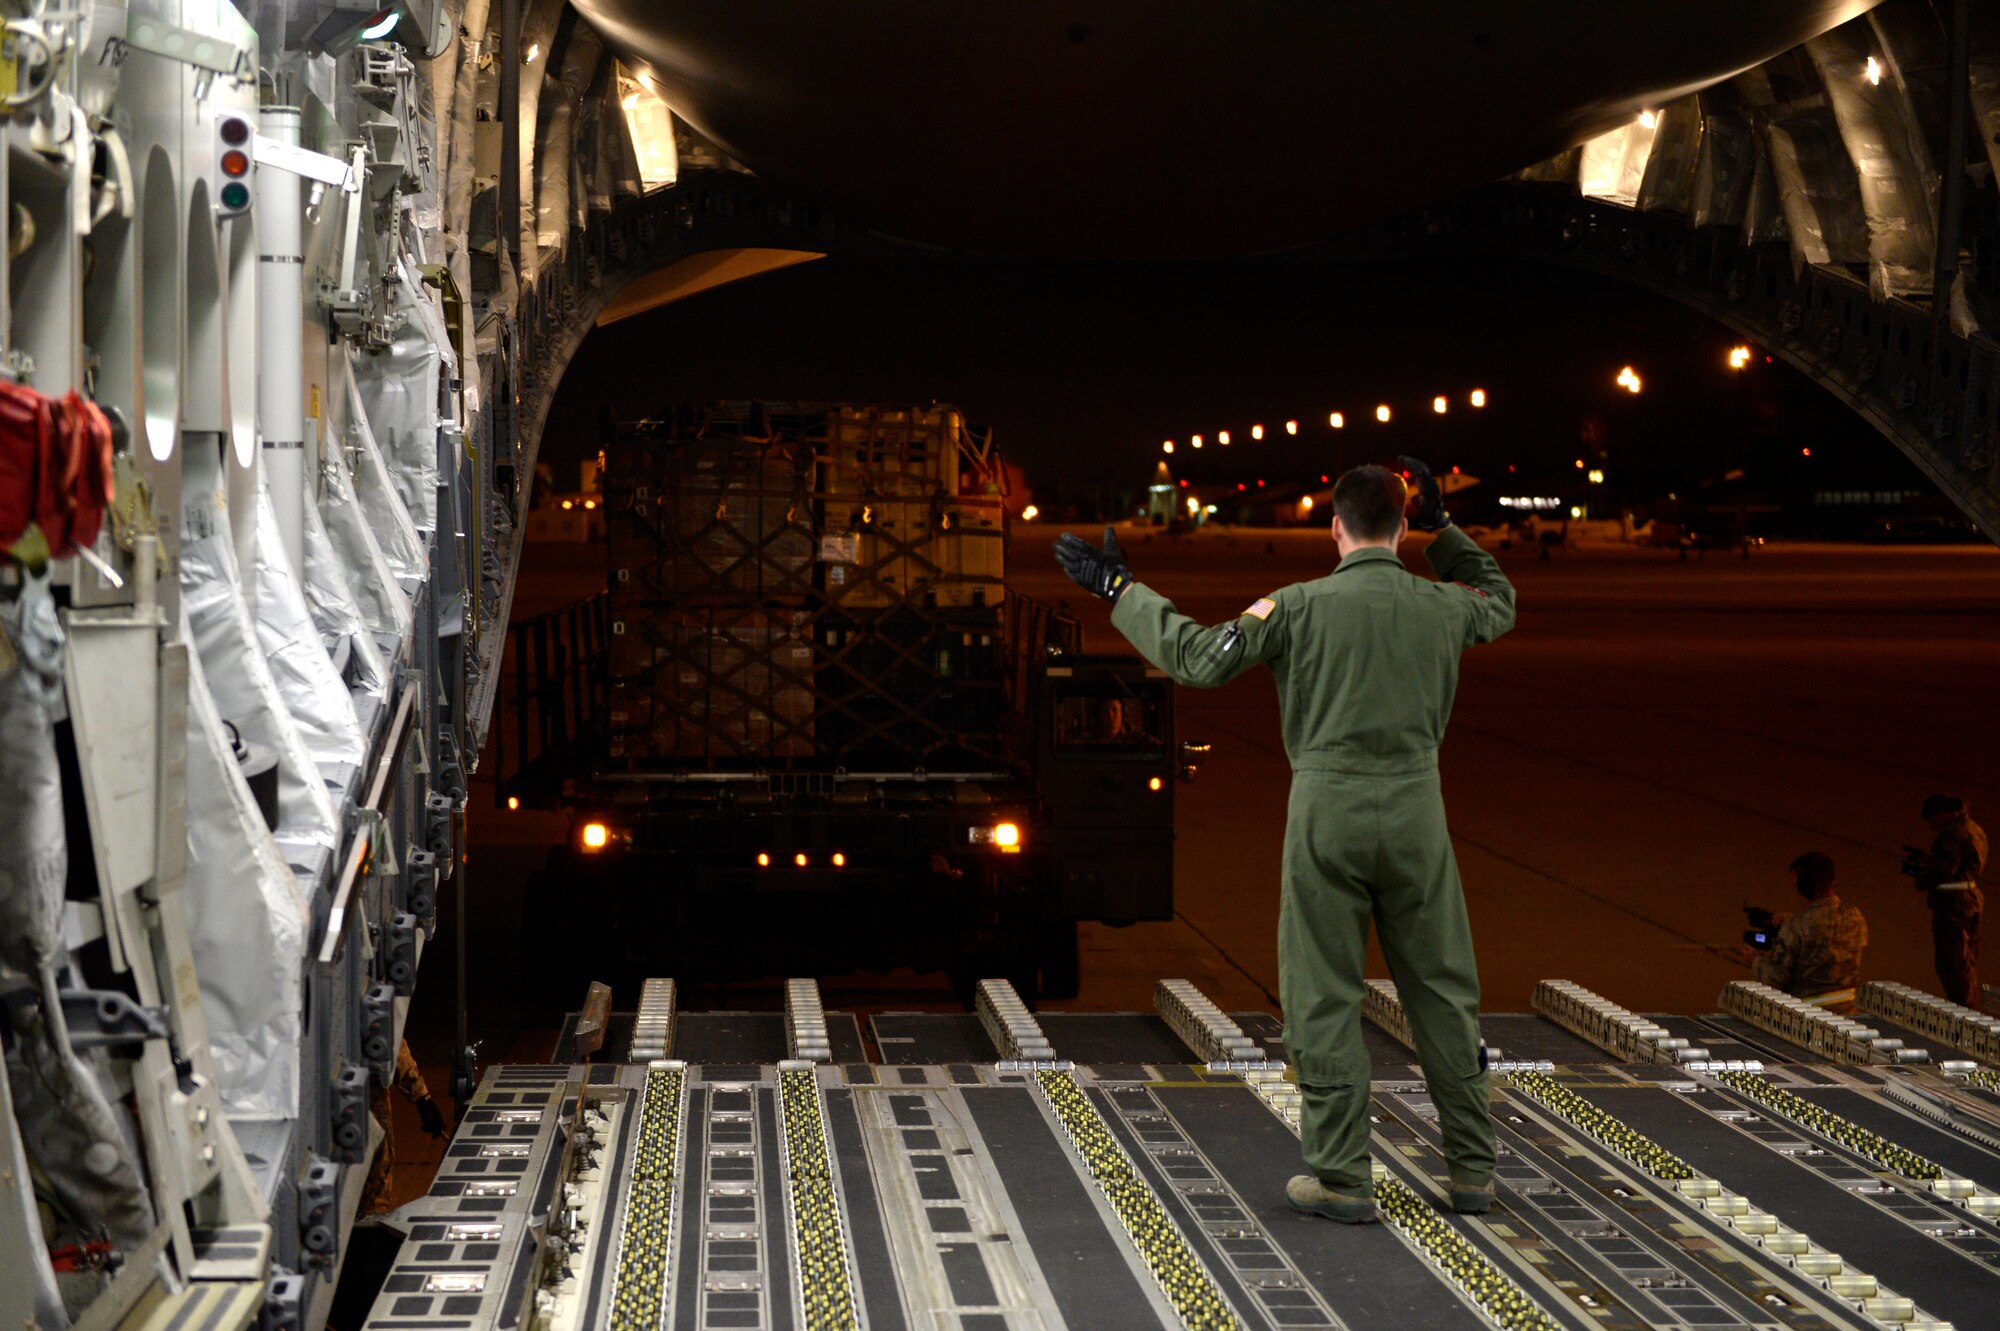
(1625, 772)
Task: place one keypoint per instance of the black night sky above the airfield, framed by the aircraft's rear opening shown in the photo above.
(1087, 369)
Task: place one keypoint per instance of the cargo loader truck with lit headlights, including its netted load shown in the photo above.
(809, 708)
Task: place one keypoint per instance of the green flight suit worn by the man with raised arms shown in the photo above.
(1367, 665)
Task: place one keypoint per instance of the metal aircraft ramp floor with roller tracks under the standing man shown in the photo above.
(1007, 1170)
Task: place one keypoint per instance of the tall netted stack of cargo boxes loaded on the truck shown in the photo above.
(809, 587)
